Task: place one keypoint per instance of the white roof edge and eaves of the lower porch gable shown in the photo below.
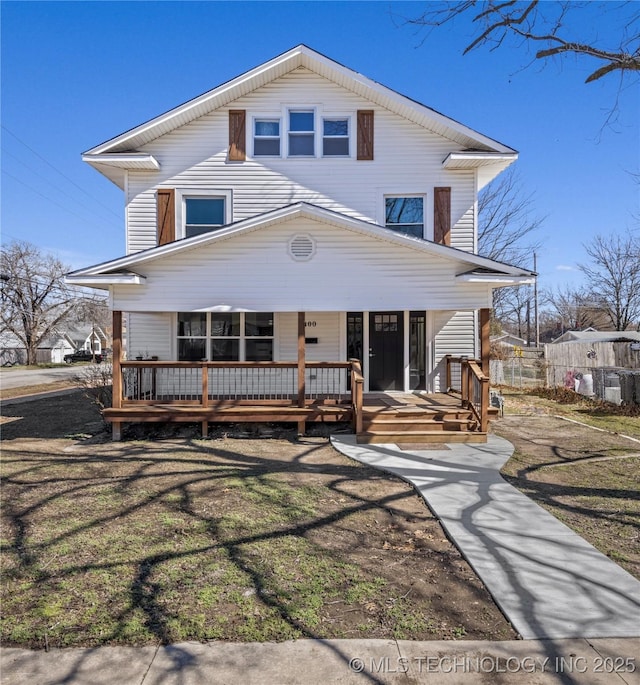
(474, 268)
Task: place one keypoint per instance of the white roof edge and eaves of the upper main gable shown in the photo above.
(121, 152)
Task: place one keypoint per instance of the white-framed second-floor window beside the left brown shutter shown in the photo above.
(201, 211)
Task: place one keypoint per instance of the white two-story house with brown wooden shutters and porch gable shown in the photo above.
(301, 214)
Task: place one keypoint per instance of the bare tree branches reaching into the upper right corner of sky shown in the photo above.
(546, 25)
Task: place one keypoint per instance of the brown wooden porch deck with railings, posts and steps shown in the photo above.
(301, 391)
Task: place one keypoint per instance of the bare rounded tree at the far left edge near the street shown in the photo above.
(35, 299)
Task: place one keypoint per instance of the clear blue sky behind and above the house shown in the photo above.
(77, 73)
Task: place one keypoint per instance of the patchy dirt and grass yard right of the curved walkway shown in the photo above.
(587, 478)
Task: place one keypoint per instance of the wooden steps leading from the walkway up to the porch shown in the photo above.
(418, 423)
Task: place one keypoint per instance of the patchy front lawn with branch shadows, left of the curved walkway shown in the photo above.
(147, 542)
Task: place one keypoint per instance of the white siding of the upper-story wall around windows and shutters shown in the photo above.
(195, 156)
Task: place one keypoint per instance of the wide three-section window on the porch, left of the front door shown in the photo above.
(227, 336)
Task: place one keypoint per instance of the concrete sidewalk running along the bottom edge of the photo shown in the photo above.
(324, 662)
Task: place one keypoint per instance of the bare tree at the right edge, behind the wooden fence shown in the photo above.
(614, 277)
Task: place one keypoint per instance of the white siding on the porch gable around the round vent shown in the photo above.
(339, 277)
